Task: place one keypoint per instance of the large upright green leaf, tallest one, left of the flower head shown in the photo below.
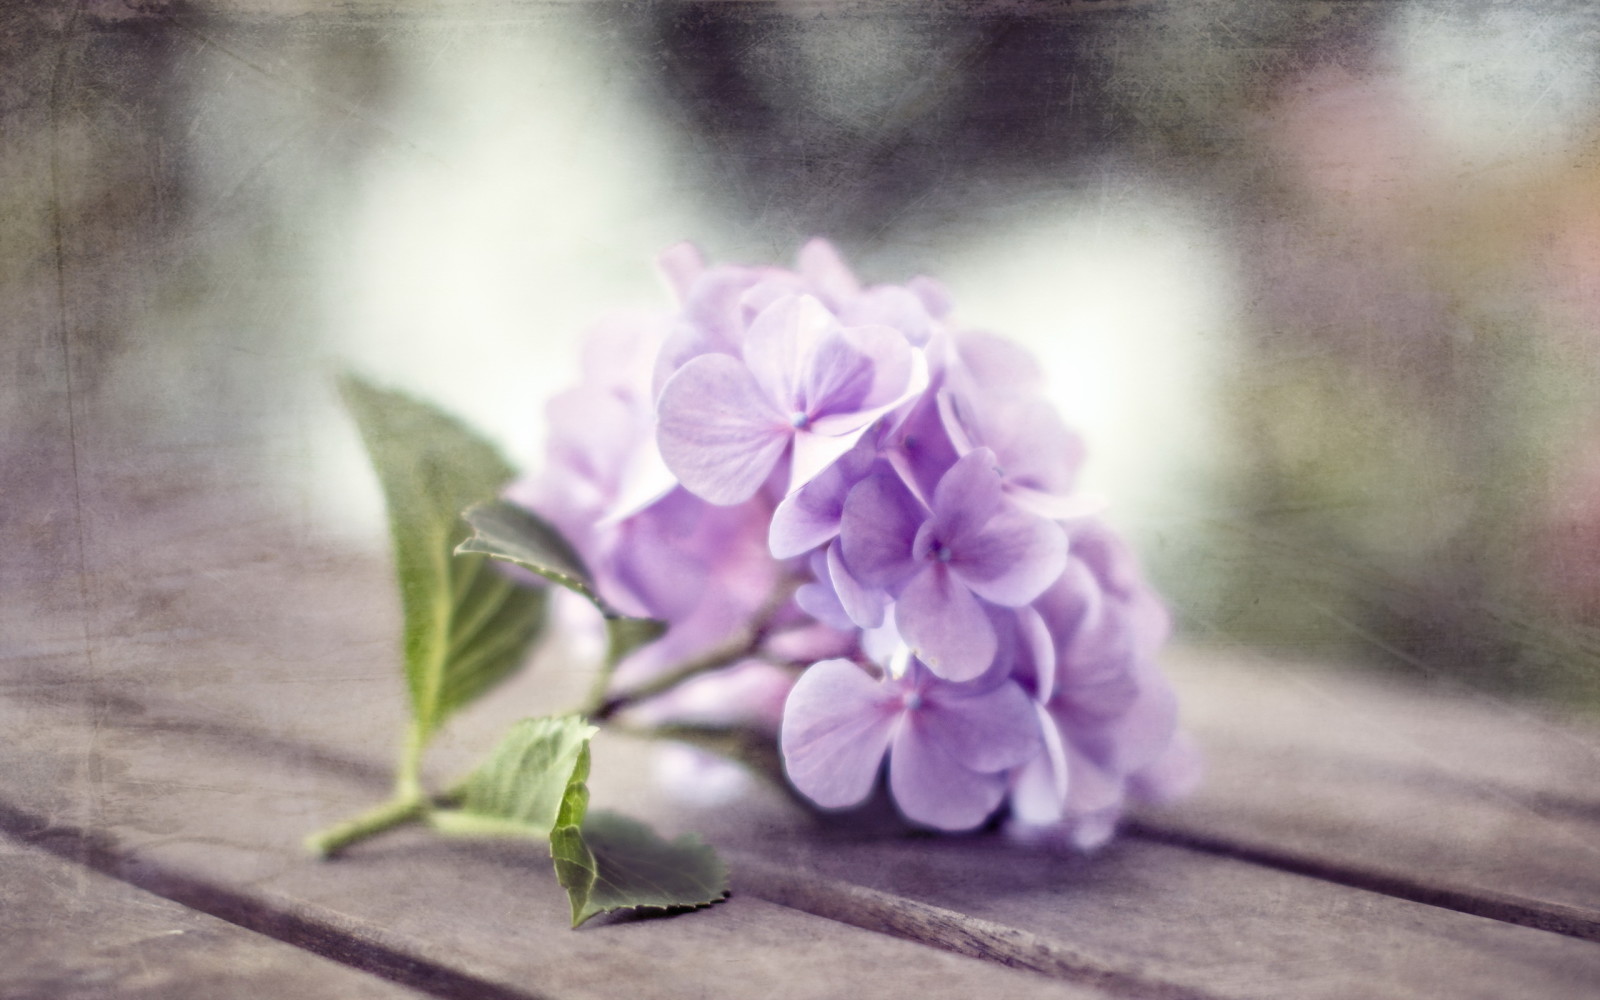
(466, 626)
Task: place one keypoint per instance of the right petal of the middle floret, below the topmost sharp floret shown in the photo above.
(1014, 559)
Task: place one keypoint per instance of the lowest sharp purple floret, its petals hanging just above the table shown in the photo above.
(950, 745)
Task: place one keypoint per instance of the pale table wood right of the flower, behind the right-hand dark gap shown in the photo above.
(1401, 786)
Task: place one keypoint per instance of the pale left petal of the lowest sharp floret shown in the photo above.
(838, 724)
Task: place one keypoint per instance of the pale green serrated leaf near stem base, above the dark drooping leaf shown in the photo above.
(526, 783)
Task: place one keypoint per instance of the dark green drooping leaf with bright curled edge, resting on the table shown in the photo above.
(614, 863)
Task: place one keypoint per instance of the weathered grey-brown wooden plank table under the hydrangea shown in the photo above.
(194, 681)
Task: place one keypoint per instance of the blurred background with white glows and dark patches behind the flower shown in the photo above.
(1319, 282)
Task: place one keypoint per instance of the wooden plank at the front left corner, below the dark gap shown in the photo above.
(73, 934)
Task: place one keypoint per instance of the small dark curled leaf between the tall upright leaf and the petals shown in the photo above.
(508, 532)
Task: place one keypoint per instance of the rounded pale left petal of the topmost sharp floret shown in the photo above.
(718, 433)
